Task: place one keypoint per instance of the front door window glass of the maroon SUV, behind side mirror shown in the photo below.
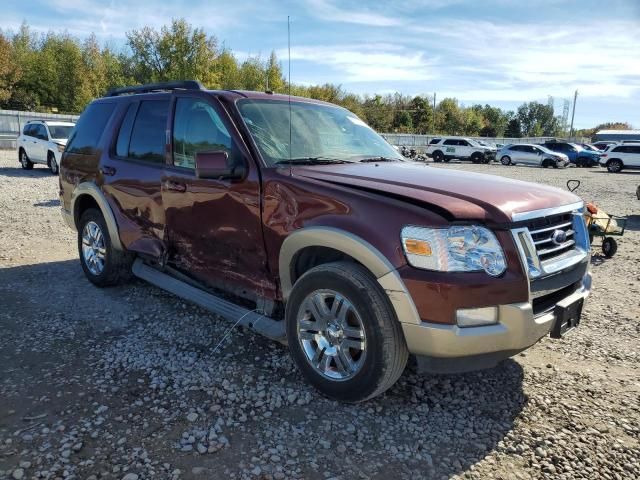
(197, 127)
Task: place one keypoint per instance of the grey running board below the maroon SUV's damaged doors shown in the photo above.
(229, 311)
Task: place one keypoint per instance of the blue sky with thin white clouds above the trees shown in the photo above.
(494, 51)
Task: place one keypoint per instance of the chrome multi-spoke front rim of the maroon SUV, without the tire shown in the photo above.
(331, 334)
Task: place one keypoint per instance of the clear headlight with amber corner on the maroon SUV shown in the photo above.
(454, 249)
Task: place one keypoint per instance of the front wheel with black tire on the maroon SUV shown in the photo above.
(380, 354)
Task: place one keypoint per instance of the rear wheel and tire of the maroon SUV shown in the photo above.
(110, 266)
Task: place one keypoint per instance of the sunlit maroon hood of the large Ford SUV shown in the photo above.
(463, 195)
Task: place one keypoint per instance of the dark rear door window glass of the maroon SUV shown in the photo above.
(148, 133)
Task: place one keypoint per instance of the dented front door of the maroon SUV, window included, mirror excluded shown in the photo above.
(214, 225)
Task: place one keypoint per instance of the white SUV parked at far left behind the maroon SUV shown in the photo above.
(43, 141)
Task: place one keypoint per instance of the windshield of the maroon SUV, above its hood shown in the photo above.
(317, 132)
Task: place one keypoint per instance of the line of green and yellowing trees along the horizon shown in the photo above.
(57, 72)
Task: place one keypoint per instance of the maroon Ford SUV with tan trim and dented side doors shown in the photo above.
(294, 218)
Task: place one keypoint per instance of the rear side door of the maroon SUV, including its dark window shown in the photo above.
(132, 174)
